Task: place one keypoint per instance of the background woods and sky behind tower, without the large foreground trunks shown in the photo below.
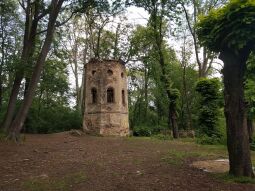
(172, 84)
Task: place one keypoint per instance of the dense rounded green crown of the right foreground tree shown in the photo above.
(231, 26)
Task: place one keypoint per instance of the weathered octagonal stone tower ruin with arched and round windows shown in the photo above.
(106, 100)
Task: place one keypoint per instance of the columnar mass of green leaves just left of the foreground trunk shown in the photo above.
(208, 119)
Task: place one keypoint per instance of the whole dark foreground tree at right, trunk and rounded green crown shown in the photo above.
(230, 31)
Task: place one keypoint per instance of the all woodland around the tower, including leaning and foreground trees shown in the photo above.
(176, 79)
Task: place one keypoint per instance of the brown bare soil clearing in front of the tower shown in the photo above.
(65, 162)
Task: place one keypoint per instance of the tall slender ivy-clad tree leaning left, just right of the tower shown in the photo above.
(158, 11)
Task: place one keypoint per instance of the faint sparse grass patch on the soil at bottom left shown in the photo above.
(54, 184)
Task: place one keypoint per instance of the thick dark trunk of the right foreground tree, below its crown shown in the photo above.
(235, 113)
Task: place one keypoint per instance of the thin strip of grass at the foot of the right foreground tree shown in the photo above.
(232, 179)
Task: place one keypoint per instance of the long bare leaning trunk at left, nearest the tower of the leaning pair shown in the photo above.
(19, 120)
